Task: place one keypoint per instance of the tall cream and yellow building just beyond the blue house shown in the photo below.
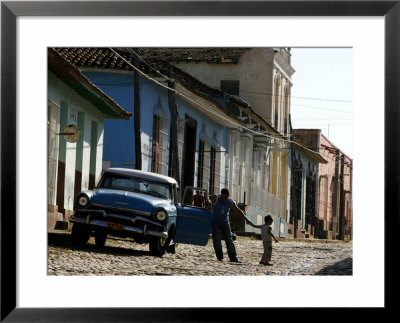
(260, 77)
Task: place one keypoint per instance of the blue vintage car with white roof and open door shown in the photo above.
(140, 205)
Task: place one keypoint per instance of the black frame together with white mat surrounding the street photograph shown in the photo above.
(28, 28)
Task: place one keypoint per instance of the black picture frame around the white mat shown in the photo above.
(10, 10)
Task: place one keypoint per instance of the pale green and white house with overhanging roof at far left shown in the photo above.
(76, 113)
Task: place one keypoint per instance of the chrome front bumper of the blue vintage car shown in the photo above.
(118, 227)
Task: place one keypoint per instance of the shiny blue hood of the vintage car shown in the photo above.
(127, 200)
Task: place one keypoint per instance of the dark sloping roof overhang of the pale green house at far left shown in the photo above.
(71, 76)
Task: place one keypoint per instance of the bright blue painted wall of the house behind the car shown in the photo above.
(119, 142)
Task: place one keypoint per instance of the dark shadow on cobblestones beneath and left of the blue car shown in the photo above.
(63, 241)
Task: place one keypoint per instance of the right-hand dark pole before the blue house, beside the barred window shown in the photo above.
(174, 128)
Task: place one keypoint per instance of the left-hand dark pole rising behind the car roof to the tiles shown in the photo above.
(136, 103)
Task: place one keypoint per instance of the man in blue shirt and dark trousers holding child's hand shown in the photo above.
(220, 226)
